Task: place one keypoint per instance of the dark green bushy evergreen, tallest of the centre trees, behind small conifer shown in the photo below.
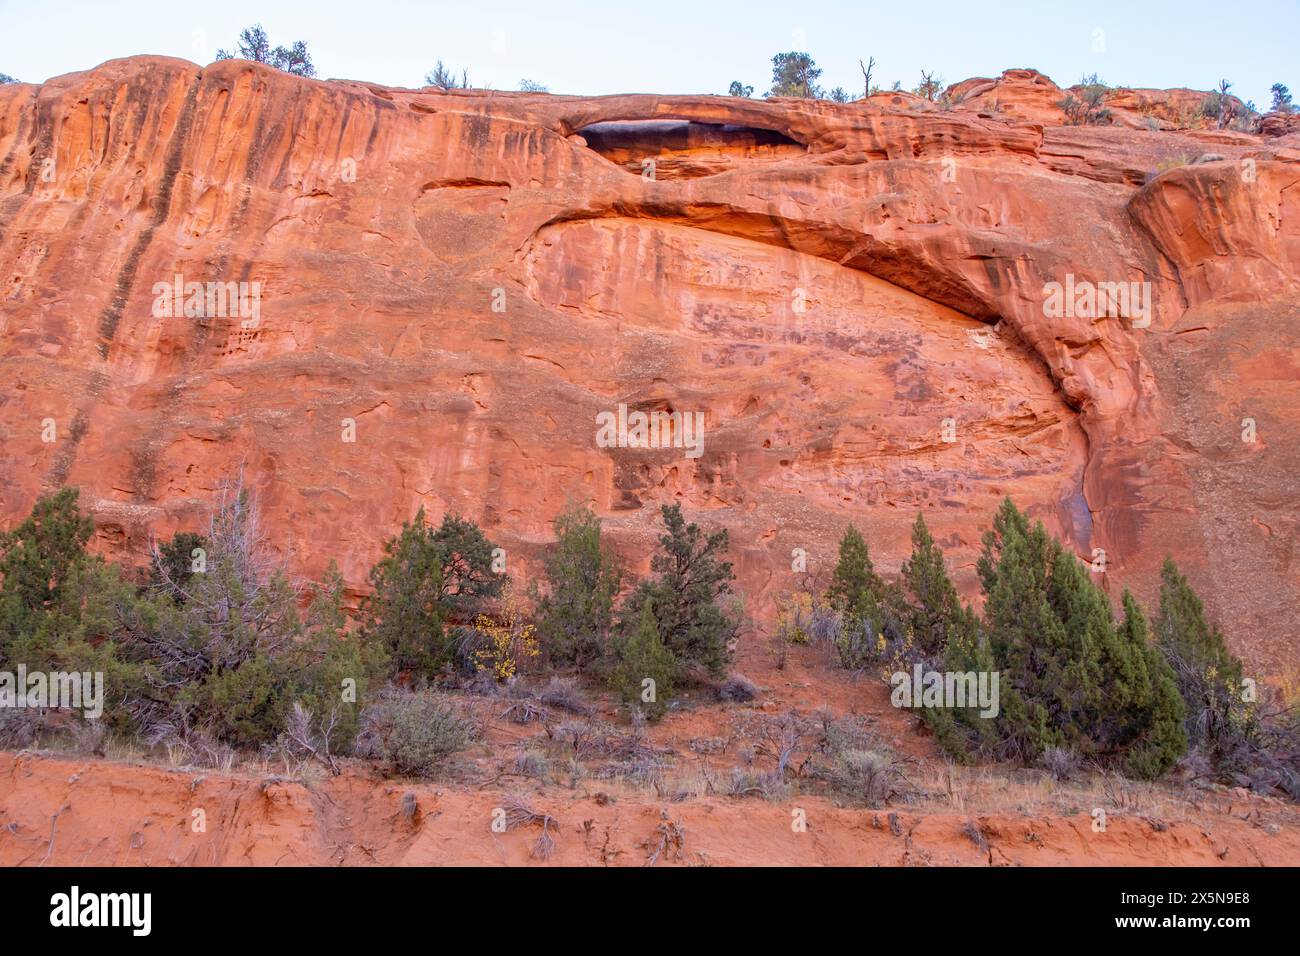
(691, 581)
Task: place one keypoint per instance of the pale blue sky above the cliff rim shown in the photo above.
(683, 47)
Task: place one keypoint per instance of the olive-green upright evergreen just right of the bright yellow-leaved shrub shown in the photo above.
(583, 581)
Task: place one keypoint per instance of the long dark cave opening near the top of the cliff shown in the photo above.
(686, 149)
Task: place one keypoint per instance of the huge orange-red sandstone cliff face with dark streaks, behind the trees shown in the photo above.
(474, 276)
